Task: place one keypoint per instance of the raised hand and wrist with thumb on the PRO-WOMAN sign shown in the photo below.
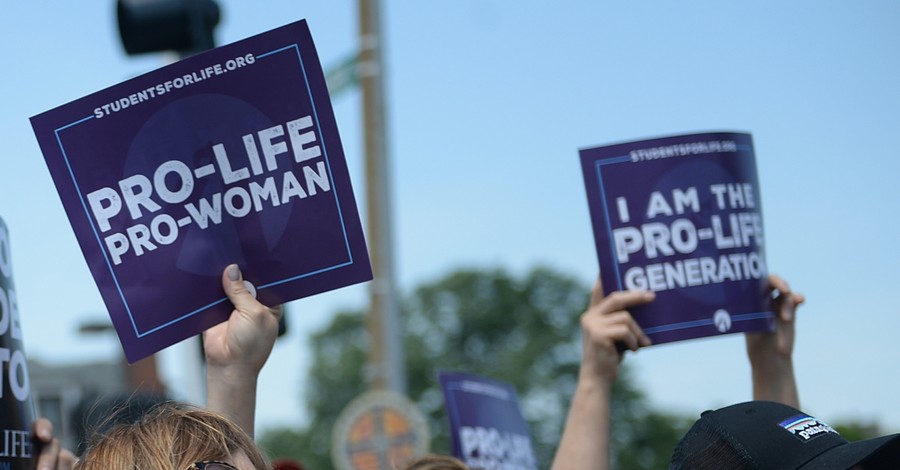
(236, 351)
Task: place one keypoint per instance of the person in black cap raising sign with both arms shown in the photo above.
(741, 436)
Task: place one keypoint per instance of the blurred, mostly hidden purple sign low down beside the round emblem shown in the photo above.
(486, 424)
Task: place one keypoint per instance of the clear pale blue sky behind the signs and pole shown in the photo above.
(489, 102)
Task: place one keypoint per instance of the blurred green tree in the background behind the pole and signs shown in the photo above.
(524, 331)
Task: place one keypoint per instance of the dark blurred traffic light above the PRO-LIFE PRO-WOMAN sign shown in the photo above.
(183, 26)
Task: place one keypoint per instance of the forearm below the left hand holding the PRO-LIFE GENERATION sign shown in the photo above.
(585, 439)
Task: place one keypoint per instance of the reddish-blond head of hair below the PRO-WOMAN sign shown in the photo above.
(173, 437)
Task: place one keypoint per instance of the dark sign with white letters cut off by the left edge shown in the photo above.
(16, 404)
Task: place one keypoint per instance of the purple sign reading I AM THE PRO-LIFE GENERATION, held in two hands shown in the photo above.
(681, 216)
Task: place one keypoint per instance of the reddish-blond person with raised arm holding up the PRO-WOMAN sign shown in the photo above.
(179, 437)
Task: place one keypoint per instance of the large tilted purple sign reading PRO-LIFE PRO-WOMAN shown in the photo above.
(230, 156)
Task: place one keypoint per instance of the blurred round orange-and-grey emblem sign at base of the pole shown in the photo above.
(379, 430)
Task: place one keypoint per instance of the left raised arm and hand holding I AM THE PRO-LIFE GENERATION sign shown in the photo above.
(606, 323)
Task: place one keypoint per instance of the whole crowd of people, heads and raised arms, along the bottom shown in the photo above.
(768, 432)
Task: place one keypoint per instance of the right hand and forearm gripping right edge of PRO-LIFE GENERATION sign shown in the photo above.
(771, 353)
